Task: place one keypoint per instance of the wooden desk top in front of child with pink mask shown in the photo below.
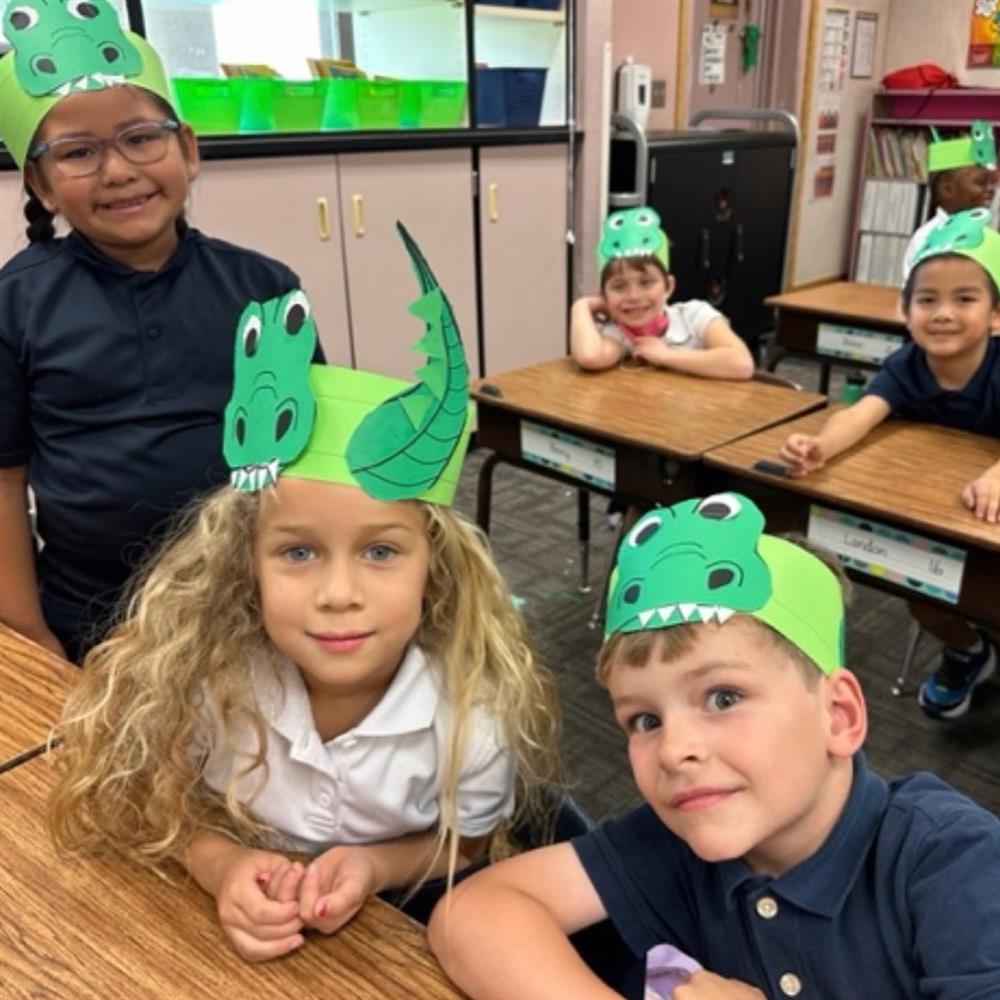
(680, 415)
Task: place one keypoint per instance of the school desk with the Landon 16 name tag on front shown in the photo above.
(889, 507)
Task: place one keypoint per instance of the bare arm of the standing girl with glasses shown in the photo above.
(19, 604)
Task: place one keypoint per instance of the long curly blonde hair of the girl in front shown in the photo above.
(191, 625)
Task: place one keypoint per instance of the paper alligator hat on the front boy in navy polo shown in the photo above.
(704, 560)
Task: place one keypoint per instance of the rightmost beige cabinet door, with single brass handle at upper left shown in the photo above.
(522, 210)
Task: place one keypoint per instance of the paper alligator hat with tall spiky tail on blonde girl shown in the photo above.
(394, 439)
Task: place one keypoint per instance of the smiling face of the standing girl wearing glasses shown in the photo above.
(128, 211)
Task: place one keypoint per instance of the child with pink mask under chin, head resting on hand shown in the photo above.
(631, 315)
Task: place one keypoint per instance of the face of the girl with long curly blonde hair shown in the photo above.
(341, 580)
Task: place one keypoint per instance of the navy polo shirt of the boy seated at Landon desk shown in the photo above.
(909, 387)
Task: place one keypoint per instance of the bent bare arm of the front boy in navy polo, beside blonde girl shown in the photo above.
(502, 933)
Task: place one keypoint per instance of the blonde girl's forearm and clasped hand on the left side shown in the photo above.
(256, 894)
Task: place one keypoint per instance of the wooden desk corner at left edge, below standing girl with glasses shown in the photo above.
(33, 687)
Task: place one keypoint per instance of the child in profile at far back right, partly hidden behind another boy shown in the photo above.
(963, 175)
